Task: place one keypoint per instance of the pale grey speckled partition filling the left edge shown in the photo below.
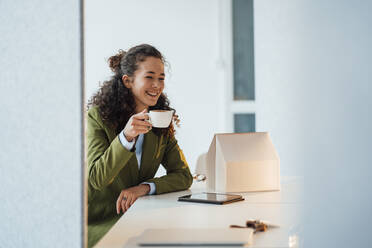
(41, 124)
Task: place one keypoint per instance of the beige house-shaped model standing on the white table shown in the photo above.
(242, 162)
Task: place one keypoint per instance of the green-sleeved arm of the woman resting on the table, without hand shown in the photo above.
(178, 173)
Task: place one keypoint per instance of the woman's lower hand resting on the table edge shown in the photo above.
(128, 196)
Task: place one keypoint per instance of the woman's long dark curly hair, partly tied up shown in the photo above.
(116, 102)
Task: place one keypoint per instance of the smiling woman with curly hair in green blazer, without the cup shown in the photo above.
(124, 151)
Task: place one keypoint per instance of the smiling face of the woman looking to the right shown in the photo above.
(147, 83)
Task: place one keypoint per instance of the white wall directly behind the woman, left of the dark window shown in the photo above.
(186, 32)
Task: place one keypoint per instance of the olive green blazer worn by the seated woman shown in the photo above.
(112, 168)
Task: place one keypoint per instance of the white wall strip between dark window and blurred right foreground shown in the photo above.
(278, 78)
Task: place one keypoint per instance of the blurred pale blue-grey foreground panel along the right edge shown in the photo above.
(337, 77)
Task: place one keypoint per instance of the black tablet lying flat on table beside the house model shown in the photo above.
(212, 198)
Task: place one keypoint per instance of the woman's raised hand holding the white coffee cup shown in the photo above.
(136, 125)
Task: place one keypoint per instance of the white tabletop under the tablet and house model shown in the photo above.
(164, 211)
